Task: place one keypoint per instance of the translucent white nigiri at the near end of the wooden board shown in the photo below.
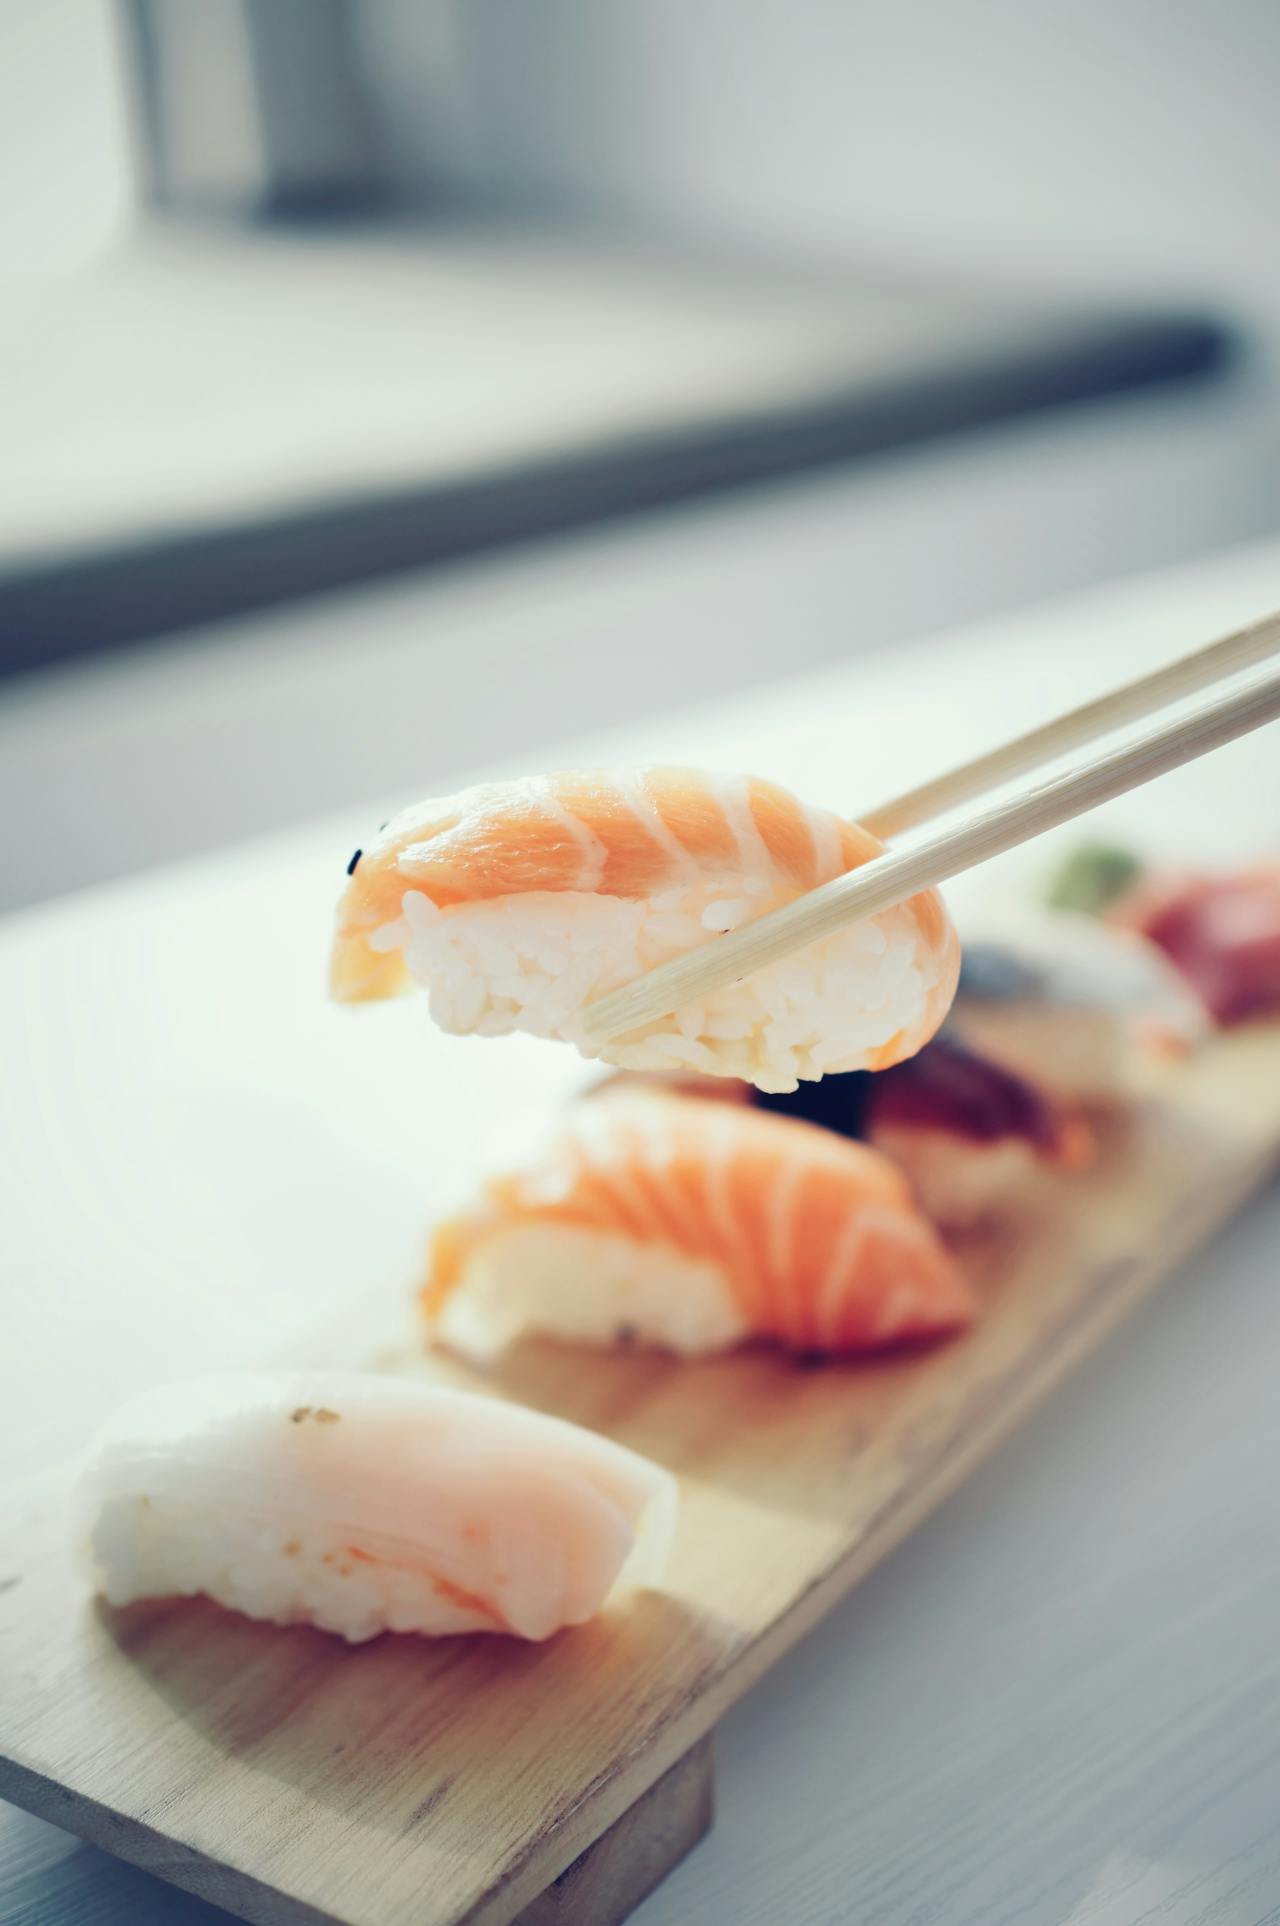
(367, 1505)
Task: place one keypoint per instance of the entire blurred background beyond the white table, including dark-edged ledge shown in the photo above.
(394, 388)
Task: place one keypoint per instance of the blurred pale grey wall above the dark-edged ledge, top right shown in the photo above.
(1112, 142)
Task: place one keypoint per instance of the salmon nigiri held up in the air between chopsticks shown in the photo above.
(517, 904)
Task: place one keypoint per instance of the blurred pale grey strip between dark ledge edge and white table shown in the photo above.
(409, 687)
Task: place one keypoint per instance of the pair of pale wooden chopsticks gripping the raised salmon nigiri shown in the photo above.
(902, 873)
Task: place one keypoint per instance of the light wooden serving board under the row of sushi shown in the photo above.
(417, 1784)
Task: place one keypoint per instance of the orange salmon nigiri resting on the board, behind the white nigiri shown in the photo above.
(692, 1226)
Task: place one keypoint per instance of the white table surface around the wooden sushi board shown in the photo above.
(1062, 1700)
